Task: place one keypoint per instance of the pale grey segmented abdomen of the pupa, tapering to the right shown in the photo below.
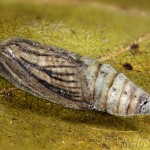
(117, 95)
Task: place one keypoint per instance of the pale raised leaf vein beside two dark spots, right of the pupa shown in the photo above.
(124, 48)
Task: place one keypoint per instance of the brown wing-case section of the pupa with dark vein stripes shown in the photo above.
(45, 71)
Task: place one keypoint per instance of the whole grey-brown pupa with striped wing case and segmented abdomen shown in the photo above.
(69, 79)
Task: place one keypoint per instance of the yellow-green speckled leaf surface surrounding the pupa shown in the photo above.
(27, 122)
